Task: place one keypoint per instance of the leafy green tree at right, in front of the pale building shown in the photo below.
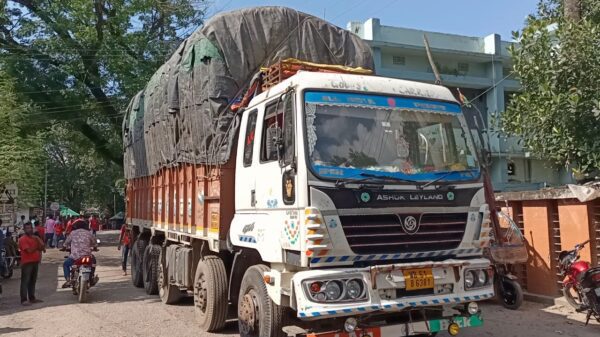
(558, 63)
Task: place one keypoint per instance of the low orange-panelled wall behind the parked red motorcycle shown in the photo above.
(552, 220)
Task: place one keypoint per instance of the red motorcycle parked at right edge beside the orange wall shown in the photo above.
(581, 284)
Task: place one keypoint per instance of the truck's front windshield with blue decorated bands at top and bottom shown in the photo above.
(350, 134)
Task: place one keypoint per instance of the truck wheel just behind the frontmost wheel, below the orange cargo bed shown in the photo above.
(210, 293)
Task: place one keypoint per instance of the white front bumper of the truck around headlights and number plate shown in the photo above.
(381, 280)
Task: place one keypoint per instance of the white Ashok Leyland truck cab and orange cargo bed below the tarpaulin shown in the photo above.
(351, 205)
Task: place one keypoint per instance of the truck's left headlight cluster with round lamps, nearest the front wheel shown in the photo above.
(338, 290)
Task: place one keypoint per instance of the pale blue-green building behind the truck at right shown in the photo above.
(481, 68)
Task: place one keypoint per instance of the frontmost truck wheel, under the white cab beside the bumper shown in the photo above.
(258, 316)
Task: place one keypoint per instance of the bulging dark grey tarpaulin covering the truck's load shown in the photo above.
(183, 115)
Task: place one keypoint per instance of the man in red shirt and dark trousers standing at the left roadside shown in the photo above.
(31, 247)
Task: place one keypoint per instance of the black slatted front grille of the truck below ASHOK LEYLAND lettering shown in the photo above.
(384, 234)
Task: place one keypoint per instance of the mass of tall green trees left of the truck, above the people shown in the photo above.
(67, 70)
